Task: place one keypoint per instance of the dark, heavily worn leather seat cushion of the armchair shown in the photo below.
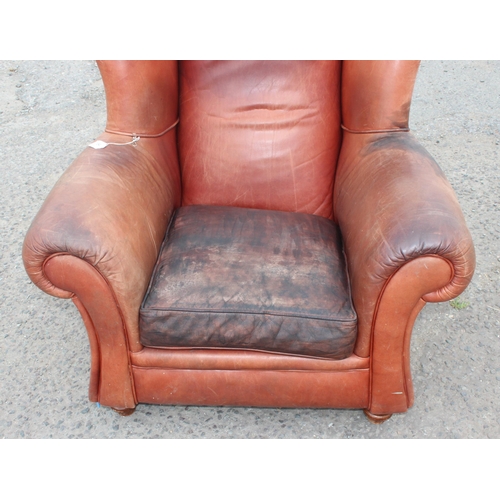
(242, 278)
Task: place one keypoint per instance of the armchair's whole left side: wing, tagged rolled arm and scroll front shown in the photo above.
(97, 236)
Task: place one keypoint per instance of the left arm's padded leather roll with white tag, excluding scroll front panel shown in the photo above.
(111, 208)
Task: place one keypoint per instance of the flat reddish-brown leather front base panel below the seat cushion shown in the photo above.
(258, 388)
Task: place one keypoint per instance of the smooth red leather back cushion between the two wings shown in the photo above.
(260, 134)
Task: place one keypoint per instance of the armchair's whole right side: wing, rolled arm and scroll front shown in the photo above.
(405, 237)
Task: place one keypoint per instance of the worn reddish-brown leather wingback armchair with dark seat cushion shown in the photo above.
(268, 241)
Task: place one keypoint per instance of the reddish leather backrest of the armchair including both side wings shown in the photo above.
(258, 134)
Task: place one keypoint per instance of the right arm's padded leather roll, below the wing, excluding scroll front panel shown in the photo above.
(394, 204)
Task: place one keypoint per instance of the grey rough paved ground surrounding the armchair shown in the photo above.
(51, 110)
